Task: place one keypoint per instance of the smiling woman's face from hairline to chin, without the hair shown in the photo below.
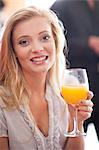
(34, 45)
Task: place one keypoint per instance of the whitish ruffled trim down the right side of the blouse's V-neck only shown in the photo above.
(55, 114)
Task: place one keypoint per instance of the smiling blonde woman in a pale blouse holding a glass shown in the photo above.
(33, 115)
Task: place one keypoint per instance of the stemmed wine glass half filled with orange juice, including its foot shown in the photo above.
(75, 89)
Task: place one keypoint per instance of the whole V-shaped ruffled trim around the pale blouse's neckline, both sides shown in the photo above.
(51, 142)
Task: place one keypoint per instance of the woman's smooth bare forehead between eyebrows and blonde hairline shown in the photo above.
(35, 24)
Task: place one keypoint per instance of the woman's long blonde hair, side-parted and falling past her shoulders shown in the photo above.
(12, 87)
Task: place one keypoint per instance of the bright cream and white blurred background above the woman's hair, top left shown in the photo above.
(7, 7)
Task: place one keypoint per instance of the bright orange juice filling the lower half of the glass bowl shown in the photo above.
(73, 95)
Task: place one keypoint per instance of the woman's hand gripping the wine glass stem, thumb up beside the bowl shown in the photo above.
(84, 108)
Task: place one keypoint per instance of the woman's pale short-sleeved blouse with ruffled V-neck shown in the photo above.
(23, 134)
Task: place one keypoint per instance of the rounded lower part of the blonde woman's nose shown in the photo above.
(37, 47)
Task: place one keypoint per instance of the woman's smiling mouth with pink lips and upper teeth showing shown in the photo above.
(39, 59)
